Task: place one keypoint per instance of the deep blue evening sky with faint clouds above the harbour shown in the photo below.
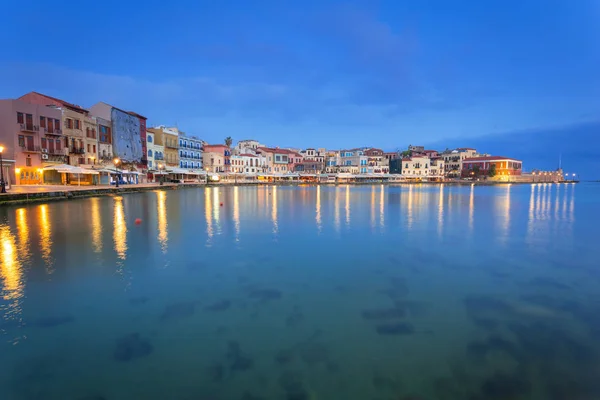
(323, 73)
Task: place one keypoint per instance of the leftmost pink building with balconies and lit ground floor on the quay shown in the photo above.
(31, 135)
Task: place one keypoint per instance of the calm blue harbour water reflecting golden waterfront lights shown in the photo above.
(321, 293)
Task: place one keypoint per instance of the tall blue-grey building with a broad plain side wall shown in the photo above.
(126, 132)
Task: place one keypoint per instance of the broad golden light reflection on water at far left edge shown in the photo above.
(11, 273)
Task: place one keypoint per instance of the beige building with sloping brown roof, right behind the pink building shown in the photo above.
(78, 128)
